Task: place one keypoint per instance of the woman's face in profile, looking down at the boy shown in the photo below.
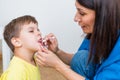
(85, 18)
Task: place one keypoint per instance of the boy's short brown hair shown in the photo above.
(13, 28)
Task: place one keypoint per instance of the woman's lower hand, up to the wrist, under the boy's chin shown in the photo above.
(47, 58)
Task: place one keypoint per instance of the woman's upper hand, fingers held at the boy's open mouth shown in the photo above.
(52, 42)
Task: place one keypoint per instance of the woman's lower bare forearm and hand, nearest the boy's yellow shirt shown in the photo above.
(48, 58)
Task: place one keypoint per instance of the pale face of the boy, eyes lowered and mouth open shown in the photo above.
(30, 37)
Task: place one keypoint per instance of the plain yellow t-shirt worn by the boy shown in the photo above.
(21, 70)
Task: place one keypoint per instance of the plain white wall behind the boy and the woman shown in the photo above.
(54, 16)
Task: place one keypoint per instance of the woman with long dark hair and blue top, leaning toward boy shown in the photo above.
(98, 58)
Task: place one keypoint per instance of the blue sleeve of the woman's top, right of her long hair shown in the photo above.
(111, 65)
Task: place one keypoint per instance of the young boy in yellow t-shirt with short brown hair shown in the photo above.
(24, 38)
